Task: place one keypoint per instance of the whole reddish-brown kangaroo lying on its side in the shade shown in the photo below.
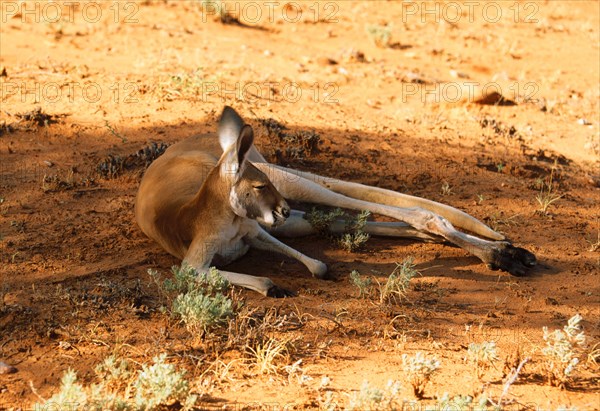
(207, 200)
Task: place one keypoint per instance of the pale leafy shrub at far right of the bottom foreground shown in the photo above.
(561, 352)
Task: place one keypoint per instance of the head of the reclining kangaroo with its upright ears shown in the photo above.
(251, 193)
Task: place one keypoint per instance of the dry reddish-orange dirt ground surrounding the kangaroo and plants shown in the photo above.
(116, 76)
